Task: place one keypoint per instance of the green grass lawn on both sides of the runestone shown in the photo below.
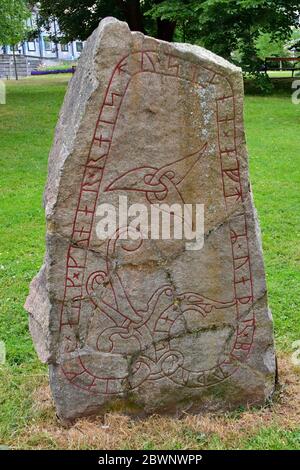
(26, 130)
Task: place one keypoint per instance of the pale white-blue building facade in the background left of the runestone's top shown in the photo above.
(43, 46)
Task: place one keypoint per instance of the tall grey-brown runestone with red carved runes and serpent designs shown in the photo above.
(148, 326)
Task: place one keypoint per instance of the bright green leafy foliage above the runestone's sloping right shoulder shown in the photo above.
(226, 26)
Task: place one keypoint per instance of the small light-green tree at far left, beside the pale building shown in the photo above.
(13, 24)
